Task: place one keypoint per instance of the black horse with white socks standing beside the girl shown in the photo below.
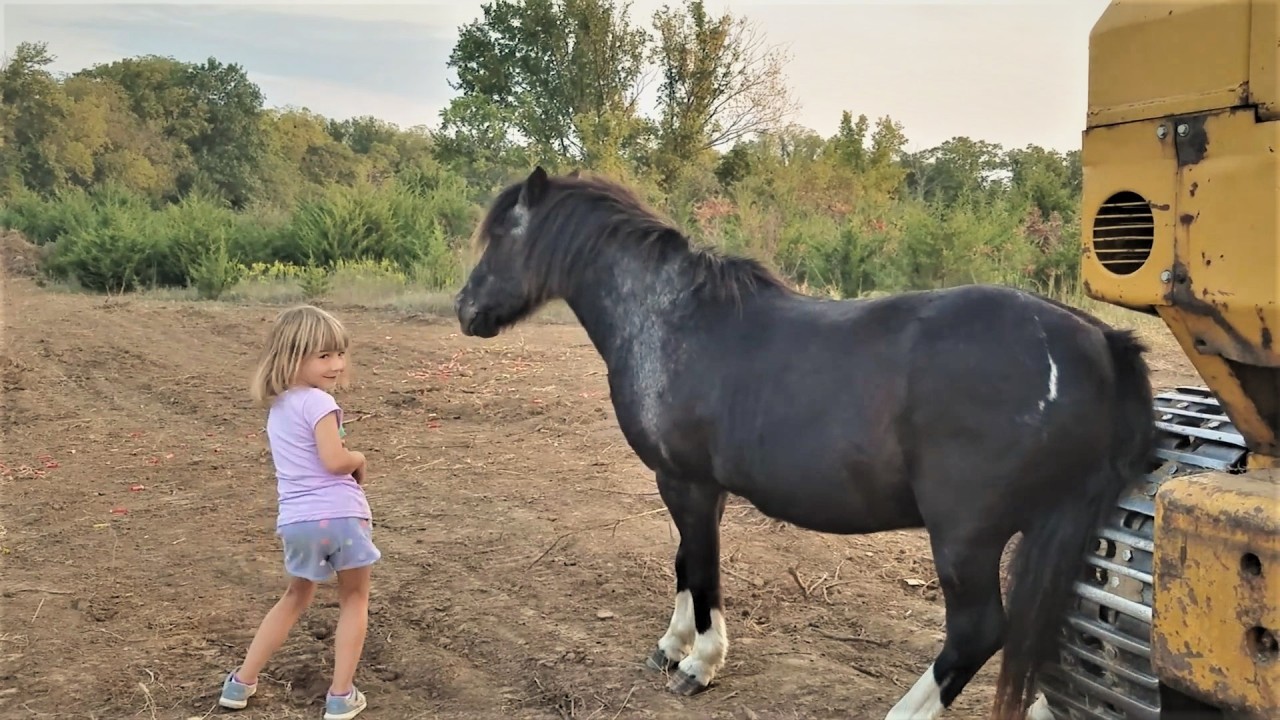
(976, 413)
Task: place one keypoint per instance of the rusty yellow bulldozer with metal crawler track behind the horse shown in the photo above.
(1180, 614)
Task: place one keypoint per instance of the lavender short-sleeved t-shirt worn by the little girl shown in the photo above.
(307, 490)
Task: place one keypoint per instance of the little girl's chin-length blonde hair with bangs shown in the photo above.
(298, 334)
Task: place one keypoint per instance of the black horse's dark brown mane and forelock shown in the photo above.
(579, 215)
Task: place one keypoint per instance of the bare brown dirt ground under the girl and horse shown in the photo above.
(527, 566)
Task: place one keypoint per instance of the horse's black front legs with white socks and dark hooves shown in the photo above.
(696, 640)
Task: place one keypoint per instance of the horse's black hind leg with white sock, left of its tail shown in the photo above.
(970, 577)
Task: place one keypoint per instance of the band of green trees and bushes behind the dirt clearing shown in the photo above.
(156, 172)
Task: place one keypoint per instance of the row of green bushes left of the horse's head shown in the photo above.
(113, 240)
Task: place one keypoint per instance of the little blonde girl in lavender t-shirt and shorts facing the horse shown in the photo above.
(324, 520)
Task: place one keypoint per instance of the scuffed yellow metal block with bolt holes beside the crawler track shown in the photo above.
(1217, 571)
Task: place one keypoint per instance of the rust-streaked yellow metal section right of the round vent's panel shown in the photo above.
(1223, 289)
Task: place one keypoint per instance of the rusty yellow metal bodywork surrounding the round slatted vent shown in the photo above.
(1213, 183)
